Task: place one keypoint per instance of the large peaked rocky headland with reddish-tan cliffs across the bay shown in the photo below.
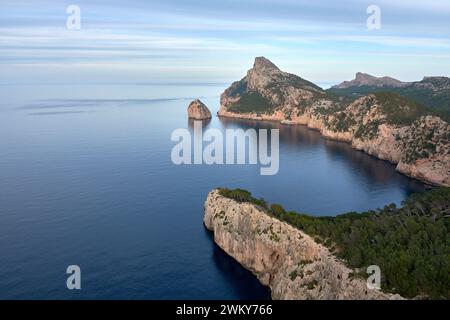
(385, 125)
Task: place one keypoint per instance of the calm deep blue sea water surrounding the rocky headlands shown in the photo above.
(86, 179)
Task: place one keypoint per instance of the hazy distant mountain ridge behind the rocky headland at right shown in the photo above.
(432, 92)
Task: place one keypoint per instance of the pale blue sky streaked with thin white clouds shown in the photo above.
(161, 41)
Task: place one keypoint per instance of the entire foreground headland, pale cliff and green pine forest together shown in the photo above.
(299, 256)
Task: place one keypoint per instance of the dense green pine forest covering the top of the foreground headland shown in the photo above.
(410, 244)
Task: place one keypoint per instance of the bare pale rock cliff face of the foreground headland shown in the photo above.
(282, 257)
